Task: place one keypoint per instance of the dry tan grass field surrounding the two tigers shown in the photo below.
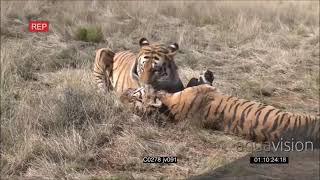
(54, 125)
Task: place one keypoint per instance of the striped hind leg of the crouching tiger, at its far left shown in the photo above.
(102, 69)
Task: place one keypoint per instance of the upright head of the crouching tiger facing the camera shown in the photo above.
(161, 57)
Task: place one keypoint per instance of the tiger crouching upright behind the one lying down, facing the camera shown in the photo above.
(120, 71)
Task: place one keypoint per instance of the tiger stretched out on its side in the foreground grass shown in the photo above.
(232, 115)
